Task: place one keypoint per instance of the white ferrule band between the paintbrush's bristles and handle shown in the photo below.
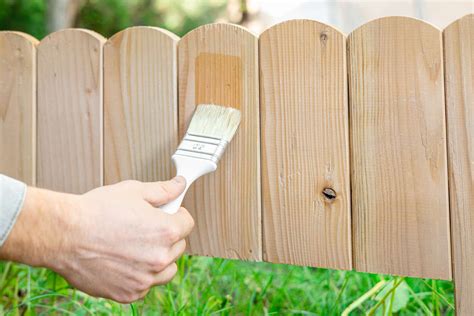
(202, 147)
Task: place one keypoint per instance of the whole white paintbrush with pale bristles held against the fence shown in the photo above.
(211, 129)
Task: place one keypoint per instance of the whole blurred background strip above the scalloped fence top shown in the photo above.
(40, 17)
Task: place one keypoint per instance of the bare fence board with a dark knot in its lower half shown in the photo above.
(305, 145)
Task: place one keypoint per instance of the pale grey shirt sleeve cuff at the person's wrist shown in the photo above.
(12, 196)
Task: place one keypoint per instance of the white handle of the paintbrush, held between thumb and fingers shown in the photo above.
(190, 168)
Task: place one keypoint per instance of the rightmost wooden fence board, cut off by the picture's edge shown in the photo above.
(459, 65)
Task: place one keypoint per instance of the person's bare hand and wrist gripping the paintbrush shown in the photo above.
(110, 242)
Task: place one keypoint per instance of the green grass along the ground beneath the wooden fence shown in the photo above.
(206, 286)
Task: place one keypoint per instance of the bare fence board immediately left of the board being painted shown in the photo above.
(140, 104)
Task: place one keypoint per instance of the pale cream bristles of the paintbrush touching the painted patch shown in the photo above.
(215, 121)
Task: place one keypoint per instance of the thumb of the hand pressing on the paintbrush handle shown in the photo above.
(162, 192)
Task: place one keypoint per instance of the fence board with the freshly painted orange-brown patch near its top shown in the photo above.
(218, 64)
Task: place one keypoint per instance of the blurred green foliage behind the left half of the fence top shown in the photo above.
(110, 16)
